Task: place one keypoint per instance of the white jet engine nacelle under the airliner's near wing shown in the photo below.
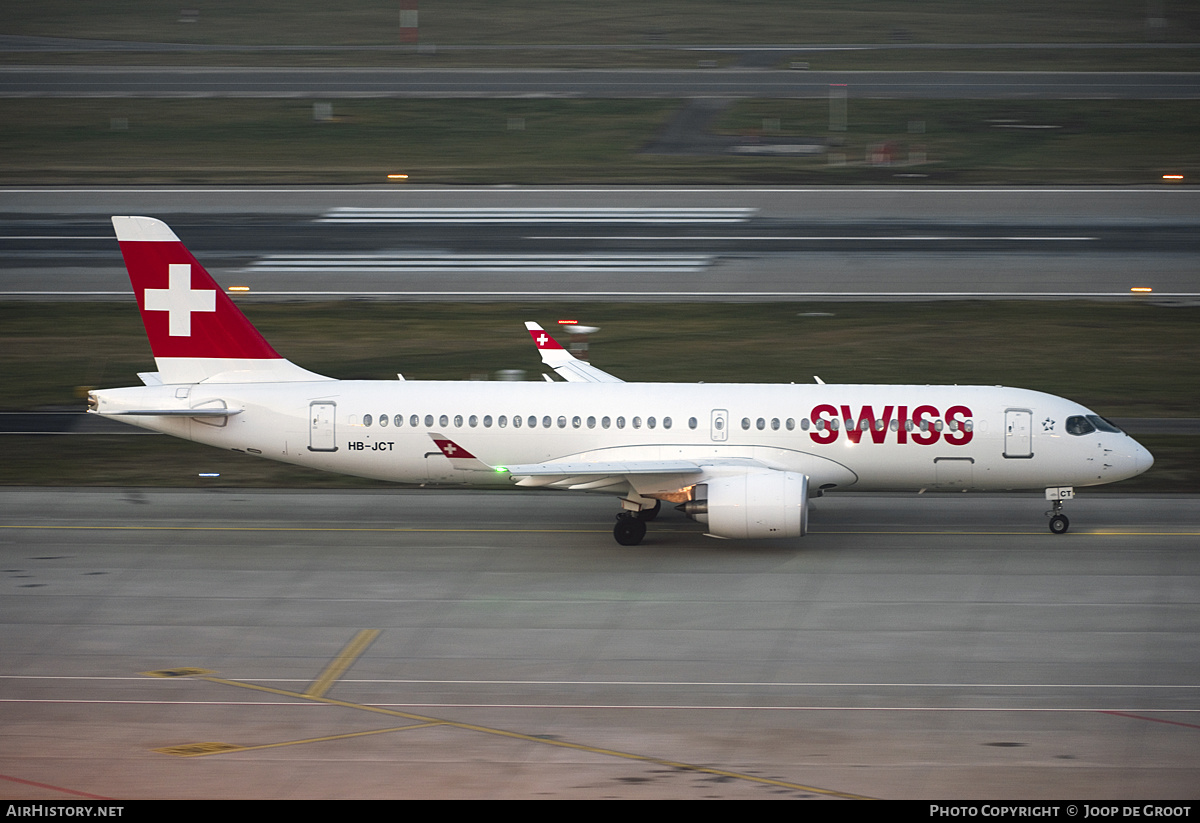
(767, 504)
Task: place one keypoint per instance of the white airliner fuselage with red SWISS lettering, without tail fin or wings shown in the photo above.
(844, 437)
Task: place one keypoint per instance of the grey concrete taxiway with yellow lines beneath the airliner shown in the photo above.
(291, 645)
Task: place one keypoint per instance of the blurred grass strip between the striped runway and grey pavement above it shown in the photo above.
(484, 142)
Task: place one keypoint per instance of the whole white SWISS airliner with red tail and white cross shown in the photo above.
(742, 459)
